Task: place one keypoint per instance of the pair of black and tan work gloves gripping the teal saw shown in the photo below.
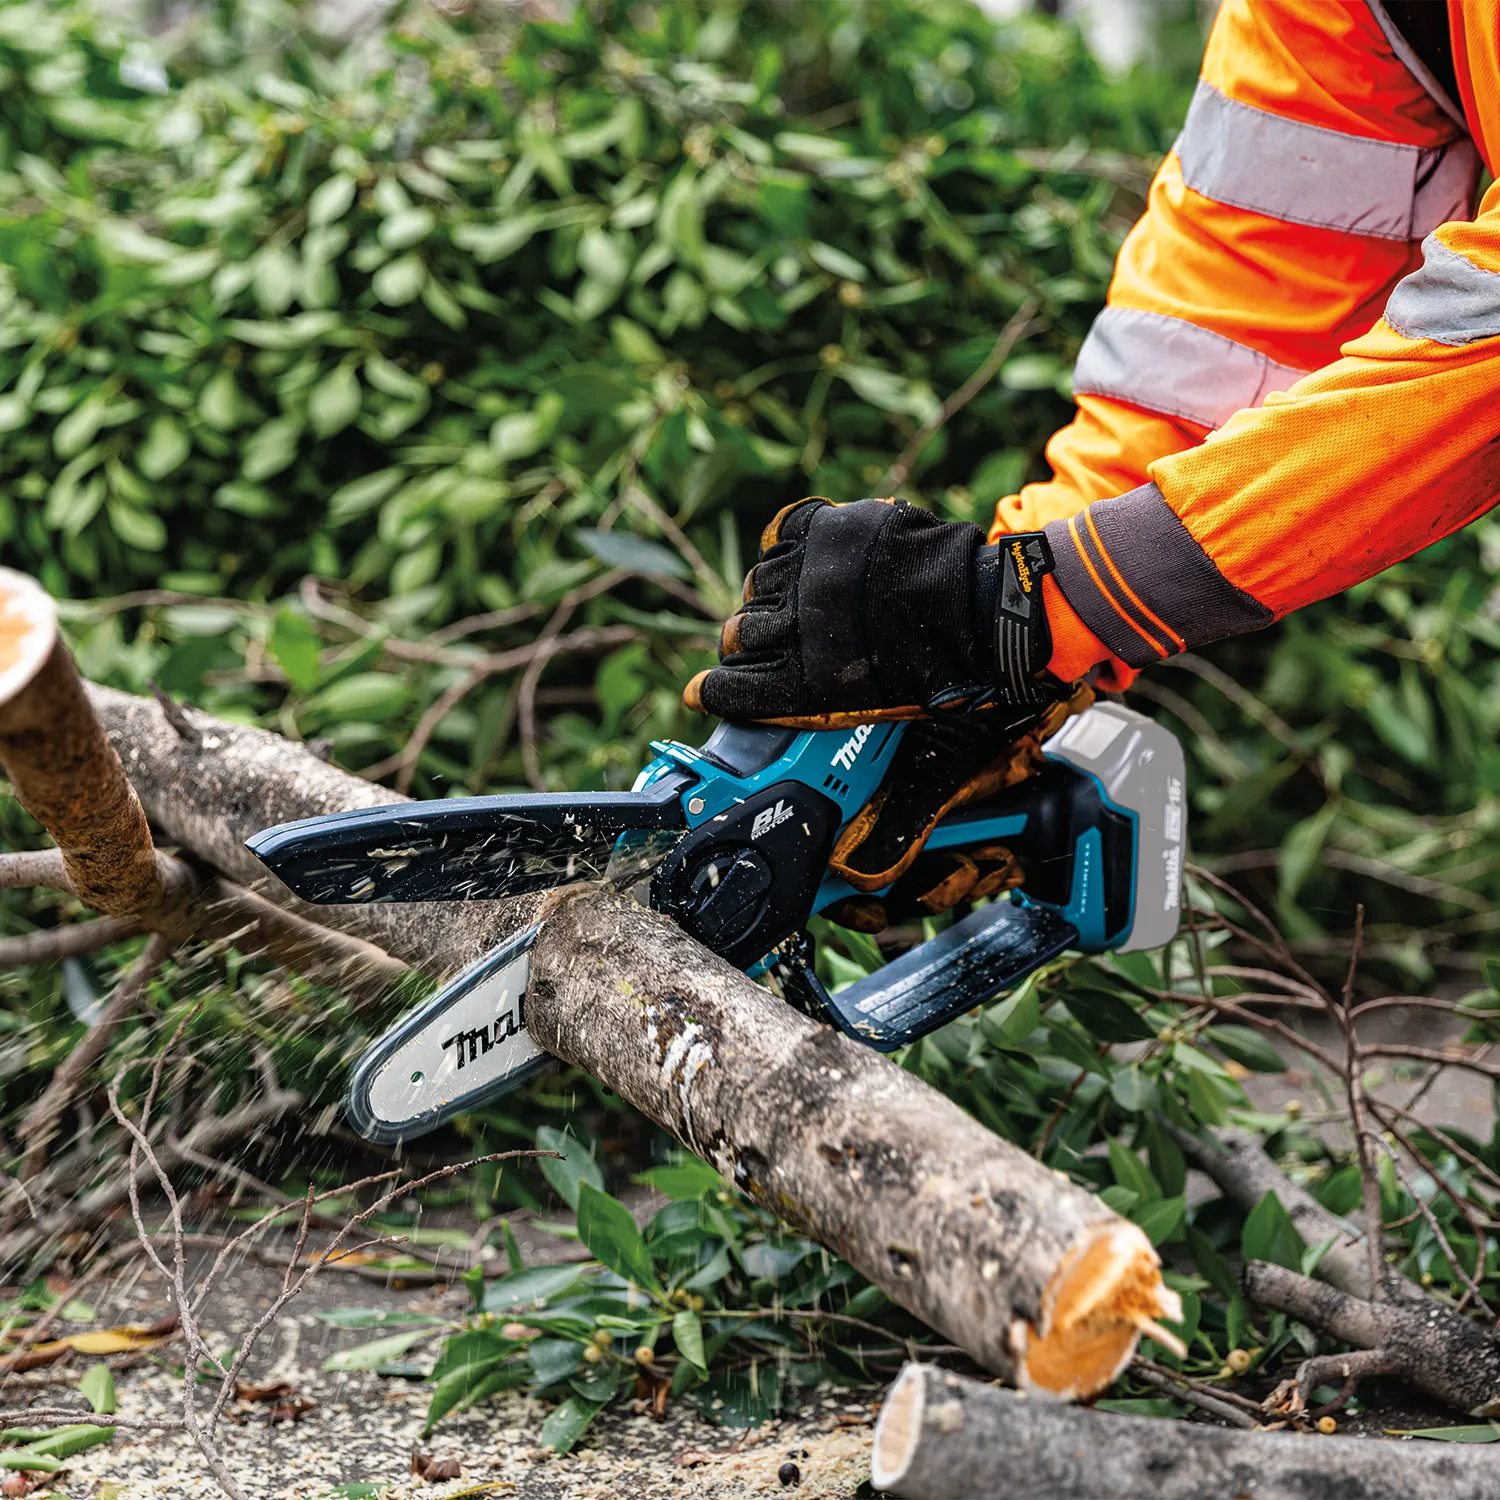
(878, 611)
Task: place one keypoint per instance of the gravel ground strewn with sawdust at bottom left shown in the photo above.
(365, 1429)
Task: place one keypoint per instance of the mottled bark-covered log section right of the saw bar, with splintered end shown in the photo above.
(956, 1225)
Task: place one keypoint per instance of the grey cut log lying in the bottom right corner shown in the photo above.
(946, 1438)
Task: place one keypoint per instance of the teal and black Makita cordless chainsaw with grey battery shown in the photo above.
(733, 842)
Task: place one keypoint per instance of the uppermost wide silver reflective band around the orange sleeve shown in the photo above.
(1240, 155)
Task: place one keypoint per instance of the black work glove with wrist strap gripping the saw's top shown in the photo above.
(878, 611)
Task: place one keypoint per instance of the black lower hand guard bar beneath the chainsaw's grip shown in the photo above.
(967, 965)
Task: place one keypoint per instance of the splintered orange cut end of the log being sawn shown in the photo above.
(1105, 1295)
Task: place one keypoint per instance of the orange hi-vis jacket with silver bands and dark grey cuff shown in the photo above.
(1297, 380)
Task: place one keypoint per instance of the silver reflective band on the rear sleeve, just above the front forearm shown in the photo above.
(1175, 367)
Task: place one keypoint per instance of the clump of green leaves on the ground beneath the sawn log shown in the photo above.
(713, 1300)
